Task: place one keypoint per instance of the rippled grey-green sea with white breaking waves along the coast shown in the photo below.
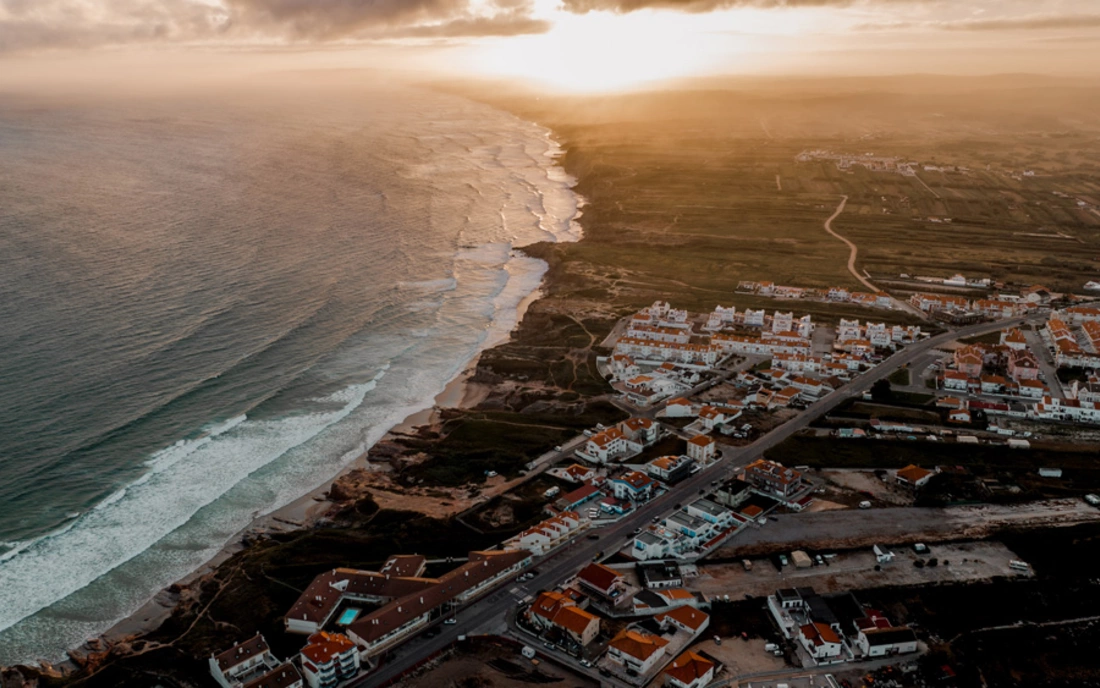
(208, 307)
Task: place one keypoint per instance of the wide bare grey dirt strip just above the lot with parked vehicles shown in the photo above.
(843, 530)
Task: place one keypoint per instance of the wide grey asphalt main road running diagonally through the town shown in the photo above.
(493, 611)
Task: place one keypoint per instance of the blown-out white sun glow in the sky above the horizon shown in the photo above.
(601, 52)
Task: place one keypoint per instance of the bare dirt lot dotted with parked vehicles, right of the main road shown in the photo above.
(965, 562)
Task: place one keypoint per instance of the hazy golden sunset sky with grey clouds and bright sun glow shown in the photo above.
(584, 45)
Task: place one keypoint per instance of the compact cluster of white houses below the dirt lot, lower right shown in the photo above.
(838, 628)
